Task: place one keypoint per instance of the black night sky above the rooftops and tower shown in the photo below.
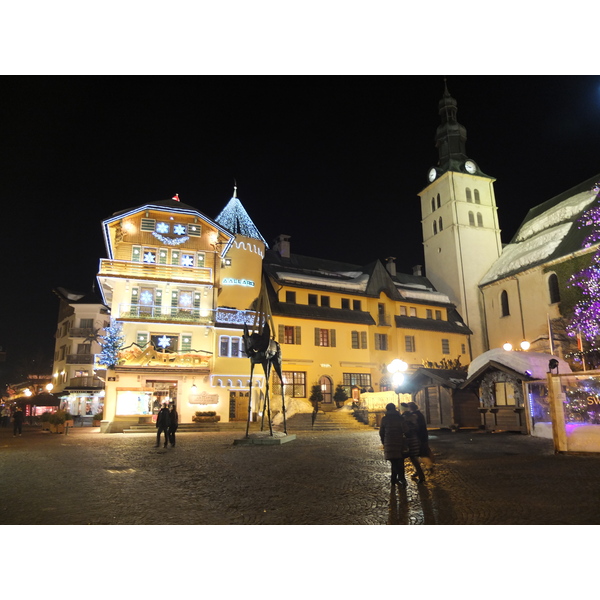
(336, 162)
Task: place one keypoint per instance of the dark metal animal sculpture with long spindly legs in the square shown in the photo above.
(262, 350)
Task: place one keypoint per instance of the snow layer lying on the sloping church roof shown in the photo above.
(540, 236)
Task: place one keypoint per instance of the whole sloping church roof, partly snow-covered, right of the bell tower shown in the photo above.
(550, 231)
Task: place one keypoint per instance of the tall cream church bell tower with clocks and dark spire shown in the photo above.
(461, 234)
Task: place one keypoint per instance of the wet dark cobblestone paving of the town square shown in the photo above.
(321, 478)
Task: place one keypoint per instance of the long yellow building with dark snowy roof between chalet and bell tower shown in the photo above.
(343, 324)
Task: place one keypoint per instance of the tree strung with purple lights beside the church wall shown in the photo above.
(585, 322)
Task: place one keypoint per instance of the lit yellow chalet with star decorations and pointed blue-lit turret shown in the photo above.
(179, 284)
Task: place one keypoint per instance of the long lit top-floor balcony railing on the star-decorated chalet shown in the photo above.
(135, 270)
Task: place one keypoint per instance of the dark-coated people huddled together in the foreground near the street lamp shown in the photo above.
(398, 433)
